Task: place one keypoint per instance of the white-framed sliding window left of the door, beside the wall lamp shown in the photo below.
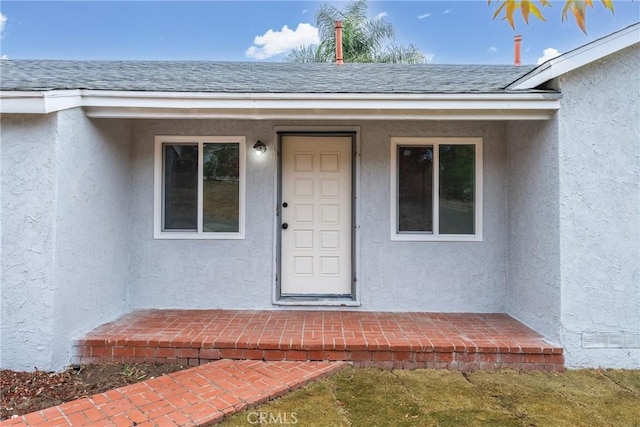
(199, 187)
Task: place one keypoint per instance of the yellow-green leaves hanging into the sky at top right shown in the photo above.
(578, 9)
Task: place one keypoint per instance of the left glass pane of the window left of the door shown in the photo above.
(180, 186)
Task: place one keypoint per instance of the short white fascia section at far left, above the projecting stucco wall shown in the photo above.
(33, 102)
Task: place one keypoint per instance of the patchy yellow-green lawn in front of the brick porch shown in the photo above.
(374, 397)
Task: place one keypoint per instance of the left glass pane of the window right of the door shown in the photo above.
(415, 188)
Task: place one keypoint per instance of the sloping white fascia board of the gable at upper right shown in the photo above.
(577, 58)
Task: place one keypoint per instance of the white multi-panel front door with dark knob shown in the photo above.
(316, 215)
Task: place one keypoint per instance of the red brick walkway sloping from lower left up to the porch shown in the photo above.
(187, 398)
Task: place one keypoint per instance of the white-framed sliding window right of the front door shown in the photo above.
(436, 189)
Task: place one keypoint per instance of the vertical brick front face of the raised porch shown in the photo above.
(538, 359)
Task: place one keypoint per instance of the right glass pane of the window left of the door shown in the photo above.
(221, 188)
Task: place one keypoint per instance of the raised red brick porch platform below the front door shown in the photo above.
(458, 341)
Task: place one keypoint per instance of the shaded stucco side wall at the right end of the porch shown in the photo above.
(533, 284)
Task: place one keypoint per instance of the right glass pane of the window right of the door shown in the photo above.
(457, 189)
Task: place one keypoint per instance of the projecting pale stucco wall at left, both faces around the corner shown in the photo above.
(65, 195)
